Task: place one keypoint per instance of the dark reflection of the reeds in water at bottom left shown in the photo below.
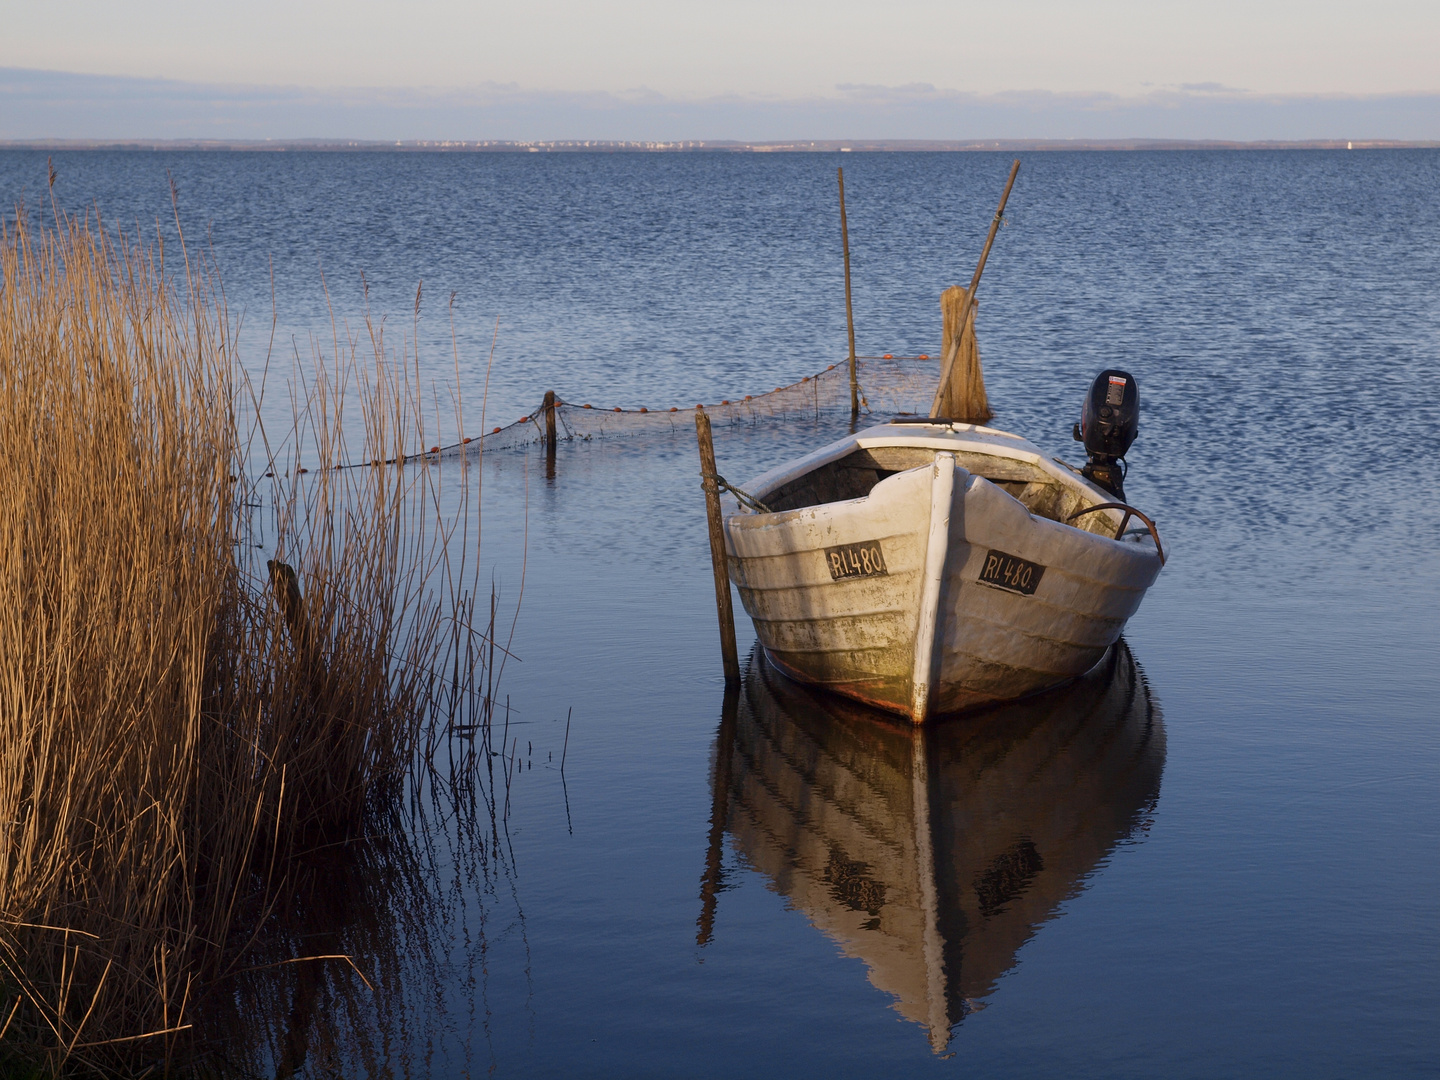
(377, 963)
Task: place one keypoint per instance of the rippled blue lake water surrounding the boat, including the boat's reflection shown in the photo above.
(1219, 856)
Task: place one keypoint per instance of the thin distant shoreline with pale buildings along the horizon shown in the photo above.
(708, 146)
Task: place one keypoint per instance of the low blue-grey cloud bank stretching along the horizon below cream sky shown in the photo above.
(41, 106)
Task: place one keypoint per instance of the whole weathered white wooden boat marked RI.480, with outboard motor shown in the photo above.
(927, 567)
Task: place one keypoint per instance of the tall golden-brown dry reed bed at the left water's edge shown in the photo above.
(207, 675)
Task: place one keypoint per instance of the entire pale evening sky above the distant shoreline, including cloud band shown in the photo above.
(721, 70)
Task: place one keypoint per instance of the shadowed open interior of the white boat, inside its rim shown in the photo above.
(858, 473)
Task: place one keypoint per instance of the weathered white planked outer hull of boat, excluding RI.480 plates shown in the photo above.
(860, 636)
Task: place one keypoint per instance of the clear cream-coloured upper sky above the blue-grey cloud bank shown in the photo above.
(702, 48)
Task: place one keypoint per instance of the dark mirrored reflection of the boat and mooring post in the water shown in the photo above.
(934, 853)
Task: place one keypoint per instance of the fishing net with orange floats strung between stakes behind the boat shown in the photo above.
(889, 387)
